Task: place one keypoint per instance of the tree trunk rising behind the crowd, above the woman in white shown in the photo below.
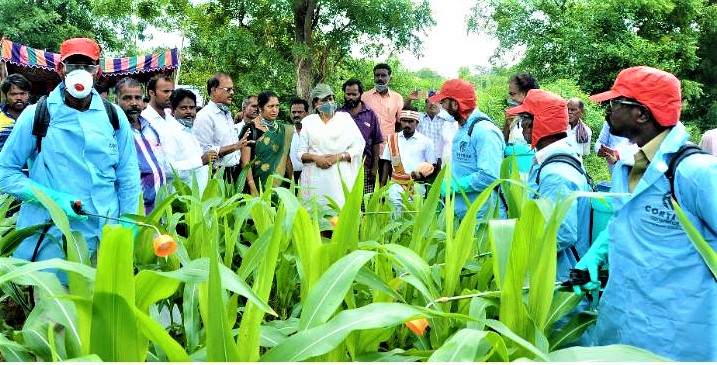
(305, 18)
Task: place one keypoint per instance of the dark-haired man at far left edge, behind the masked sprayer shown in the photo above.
(16, 90)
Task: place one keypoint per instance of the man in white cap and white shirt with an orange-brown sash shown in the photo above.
(410, 154)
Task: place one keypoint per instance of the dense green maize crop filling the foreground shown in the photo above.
(272, 278)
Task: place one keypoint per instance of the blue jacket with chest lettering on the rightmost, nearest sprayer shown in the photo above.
(661, 295)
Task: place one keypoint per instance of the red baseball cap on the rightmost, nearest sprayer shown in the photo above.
(658, 90)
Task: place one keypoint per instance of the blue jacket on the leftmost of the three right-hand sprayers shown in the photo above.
(478, 156)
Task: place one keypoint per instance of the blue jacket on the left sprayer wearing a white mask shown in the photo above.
(82, 155)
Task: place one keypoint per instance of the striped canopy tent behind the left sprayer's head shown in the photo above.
(39, 66)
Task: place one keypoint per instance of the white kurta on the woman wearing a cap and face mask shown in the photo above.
(336, 136)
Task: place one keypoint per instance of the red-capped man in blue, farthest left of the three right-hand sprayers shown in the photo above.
(477, 147)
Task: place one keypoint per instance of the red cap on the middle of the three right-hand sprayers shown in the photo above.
(549, 110)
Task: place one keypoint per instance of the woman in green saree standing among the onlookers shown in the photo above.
(270, 152)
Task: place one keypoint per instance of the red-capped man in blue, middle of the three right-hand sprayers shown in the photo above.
(557, 169)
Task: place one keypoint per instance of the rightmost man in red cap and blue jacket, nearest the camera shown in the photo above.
(661, 295)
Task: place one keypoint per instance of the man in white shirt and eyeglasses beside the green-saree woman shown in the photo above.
(214, 126)
